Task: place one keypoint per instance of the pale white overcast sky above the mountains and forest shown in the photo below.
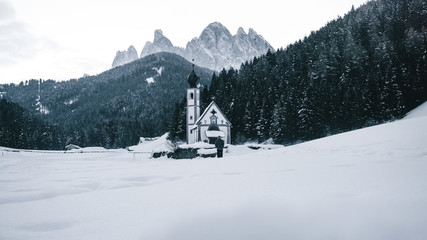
(63, 39)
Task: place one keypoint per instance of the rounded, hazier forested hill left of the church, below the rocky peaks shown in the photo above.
(114, 108)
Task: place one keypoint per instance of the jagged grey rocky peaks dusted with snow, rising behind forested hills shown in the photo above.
(216, 48)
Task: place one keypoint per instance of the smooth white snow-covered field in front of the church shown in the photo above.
(365, 184)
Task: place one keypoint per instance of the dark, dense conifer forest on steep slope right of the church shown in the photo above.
(362, 69)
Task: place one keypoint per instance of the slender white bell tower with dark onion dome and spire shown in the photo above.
(193, 106)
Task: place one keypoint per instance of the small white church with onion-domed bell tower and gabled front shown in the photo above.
(208, 126)
